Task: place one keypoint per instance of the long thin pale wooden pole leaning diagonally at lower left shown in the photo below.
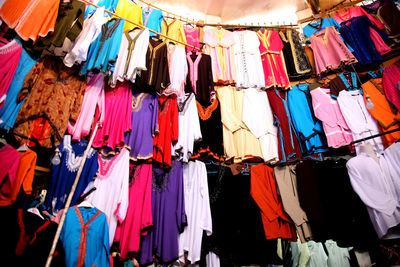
(69, 199)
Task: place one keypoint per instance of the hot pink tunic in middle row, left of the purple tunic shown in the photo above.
(117, 117)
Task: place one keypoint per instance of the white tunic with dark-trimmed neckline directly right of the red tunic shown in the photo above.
(189, 128)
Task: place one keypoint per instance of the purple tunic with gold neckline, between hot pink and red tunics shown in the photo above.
(144, 126)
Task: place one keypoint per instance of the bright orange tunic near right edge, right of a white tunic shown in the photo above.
(387, 117)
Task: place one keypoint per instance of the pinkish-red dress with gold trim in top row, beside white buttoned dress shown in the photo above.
(273, 61)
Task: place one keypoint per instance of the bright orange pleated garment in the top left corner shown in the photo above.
(30, 18)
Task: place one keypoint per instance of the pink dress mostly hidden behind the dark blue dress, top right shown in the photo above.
(357, 11)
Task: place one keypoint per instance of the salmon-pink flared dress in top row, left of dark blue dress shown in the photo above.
(329, 50)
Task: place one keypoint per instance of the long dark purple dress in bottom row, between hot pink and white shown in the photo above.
(169, 217)
